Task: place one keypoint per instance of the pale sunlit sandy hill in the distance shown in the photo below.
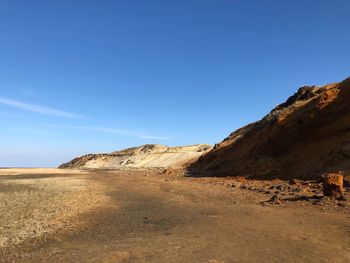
(146, 156)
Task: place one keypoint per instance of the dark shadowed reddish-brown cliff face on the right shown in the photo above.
(307, 135)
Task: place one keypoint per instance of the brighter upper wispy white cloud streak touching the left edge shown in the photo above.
(40, 109)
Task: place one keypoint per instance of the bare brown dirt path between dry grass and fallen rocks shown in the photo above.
(154, 219)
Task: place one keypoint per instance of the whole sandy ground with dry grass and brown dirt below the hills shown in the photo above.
(149, 216)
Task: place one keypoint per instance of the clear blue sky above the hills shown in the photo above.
(97, 76)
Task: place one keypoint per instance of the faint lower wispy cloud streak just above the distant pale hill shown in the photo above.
(111, 130)
